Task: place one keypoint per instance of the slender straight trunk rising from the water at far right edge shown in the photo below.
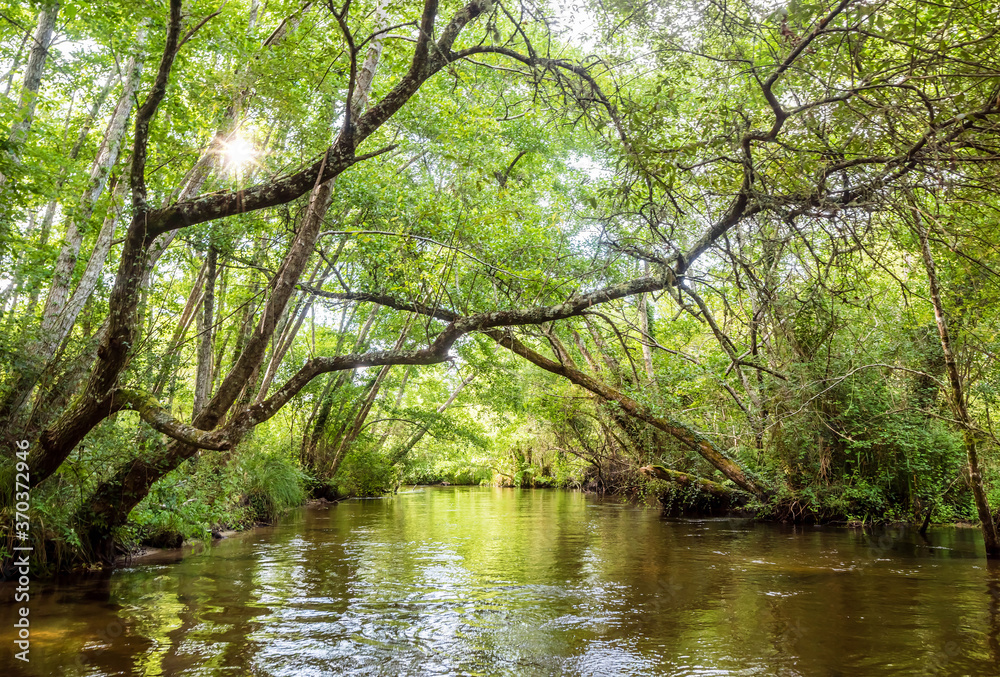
(989, 527)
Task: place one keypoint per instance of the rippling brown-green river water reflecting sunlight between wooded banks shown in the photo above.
(471, 581)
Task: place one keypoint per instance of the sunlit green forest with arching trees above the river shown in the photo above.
(707, 251)
